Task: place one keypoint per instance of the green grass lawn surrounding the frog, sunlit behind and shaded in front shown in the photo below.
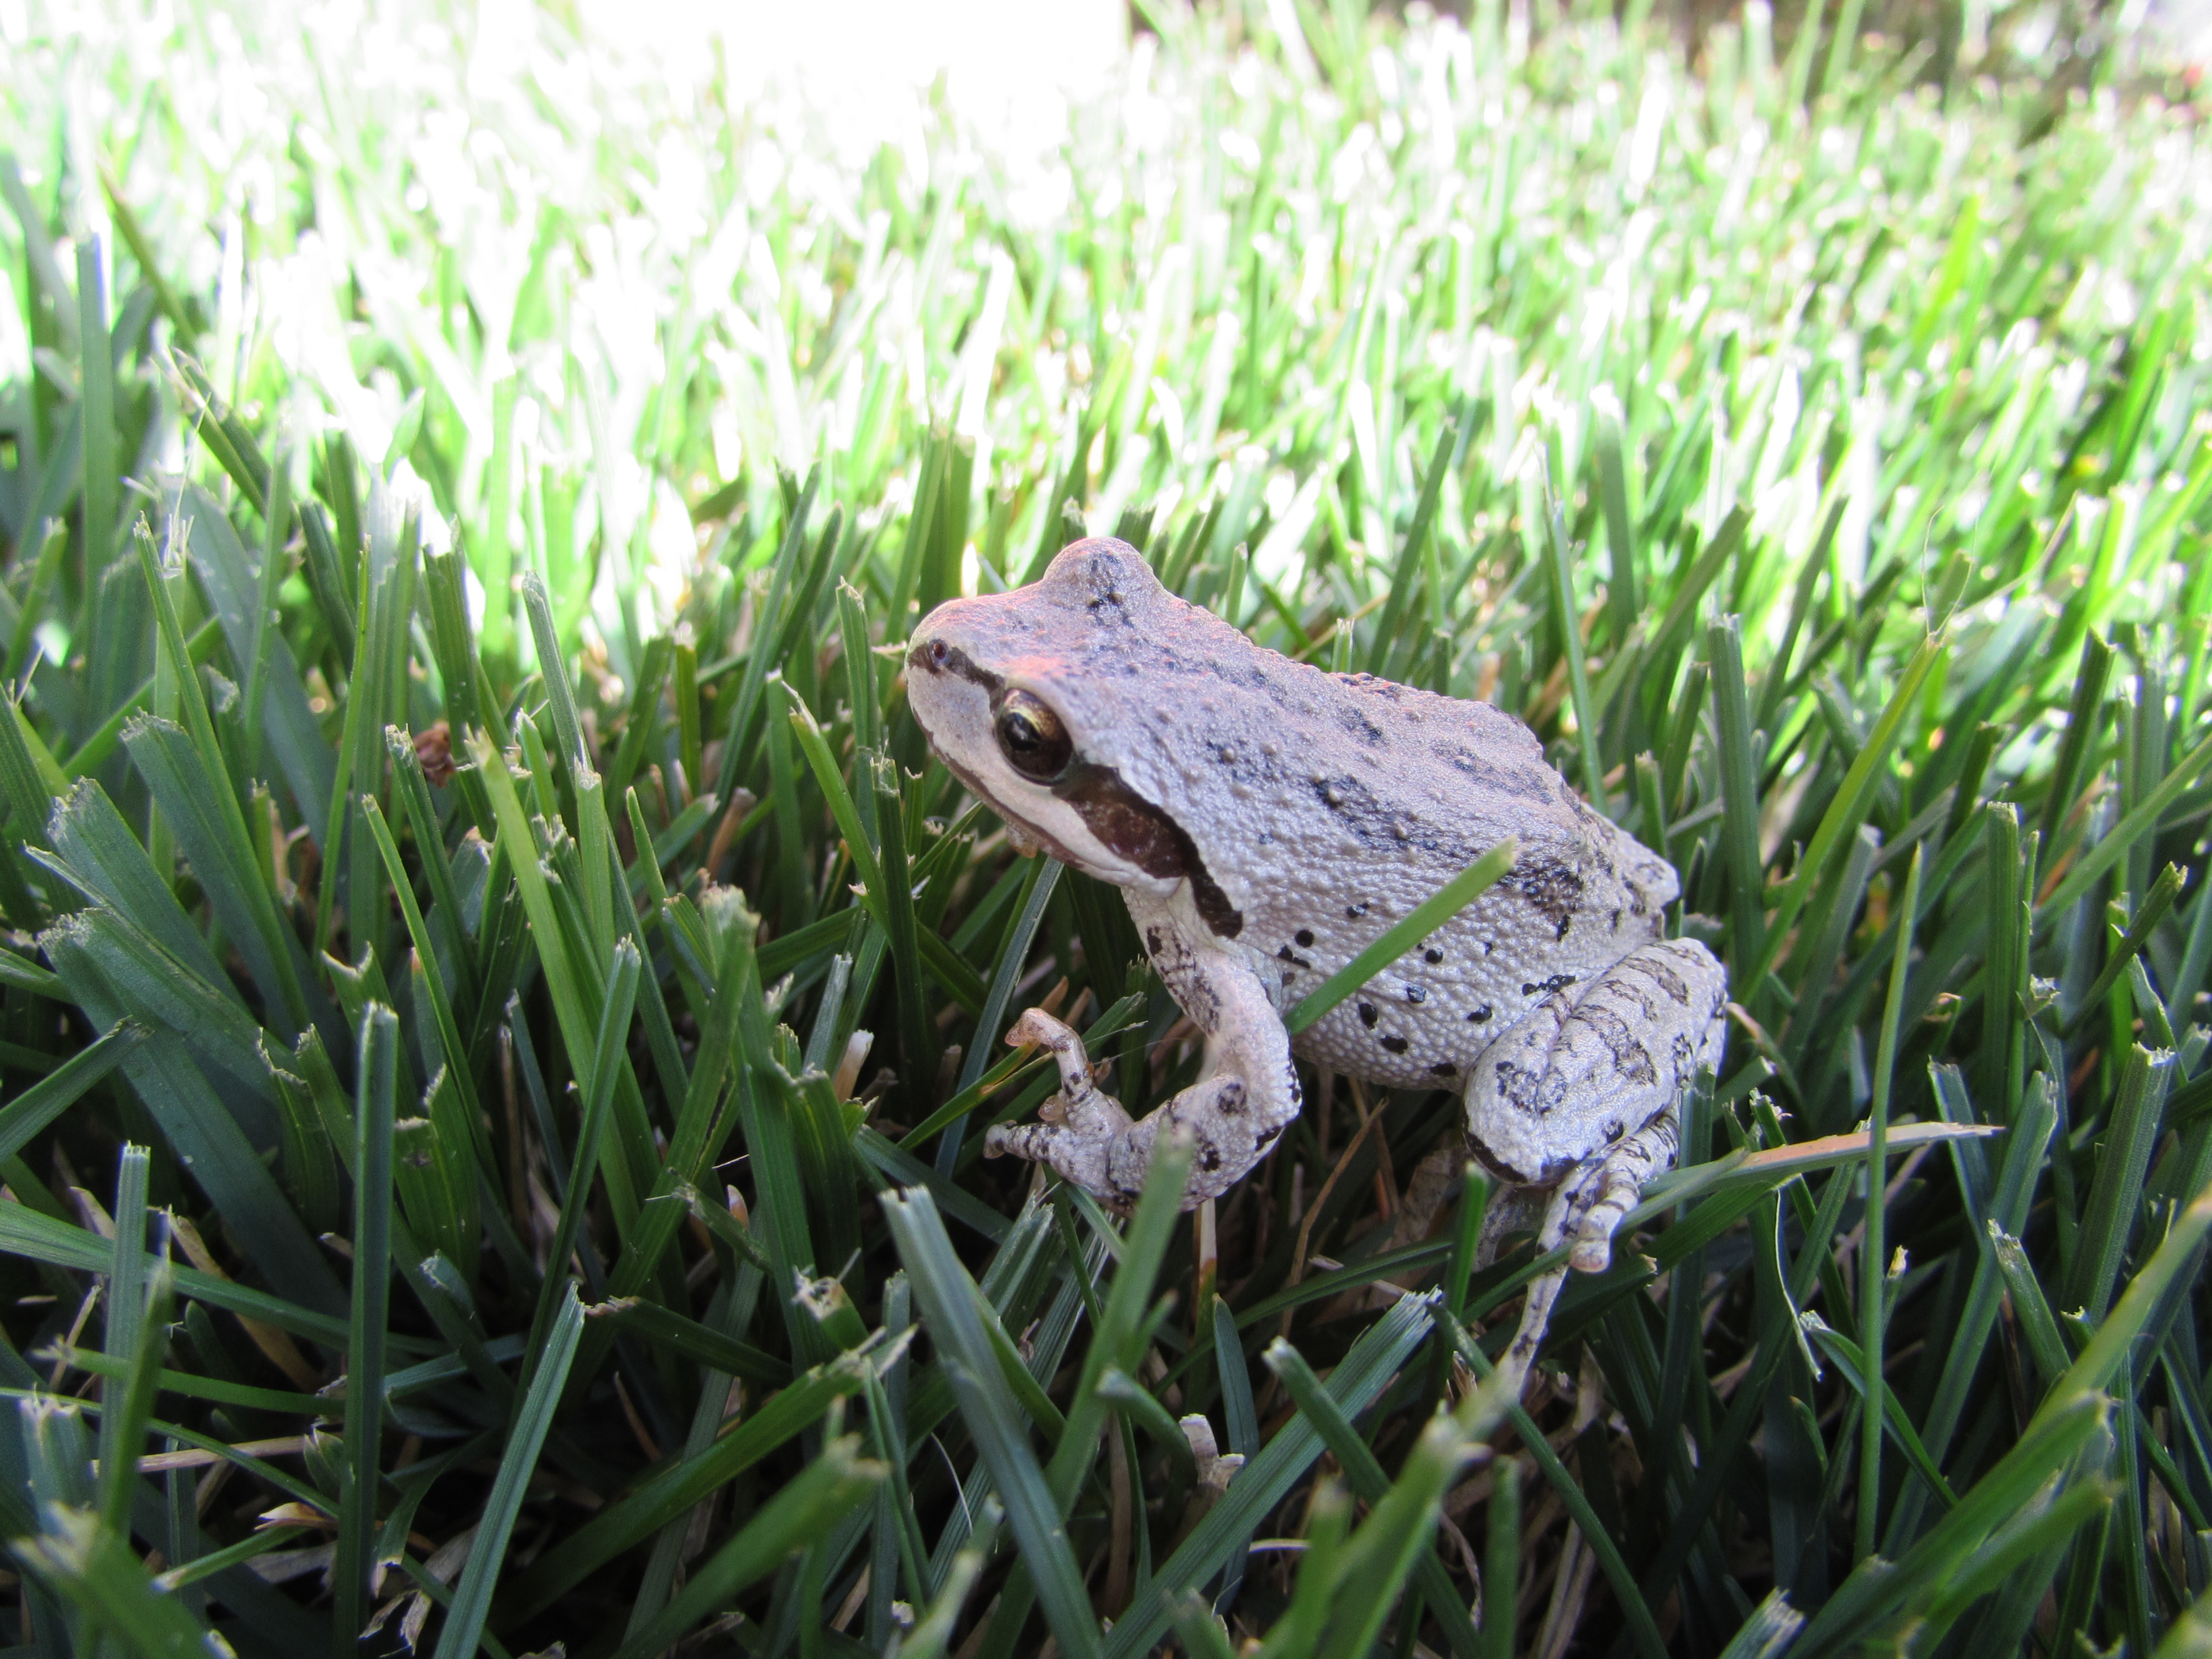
(570, 1169)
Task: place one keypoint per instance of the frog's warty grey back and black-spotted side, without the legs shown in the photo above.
(1322, 808)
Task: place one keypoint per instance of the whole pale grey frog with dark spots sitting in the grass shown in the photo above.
(1266, 822)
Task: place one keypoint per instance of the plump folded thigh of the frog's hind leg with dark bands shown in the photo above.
(1585, 1089)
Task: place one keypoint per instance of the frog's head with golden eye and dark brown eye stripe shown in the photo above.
(1047, 705)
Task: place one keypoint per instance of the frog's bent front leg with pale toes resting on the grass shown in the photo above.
(1235, 1114)
